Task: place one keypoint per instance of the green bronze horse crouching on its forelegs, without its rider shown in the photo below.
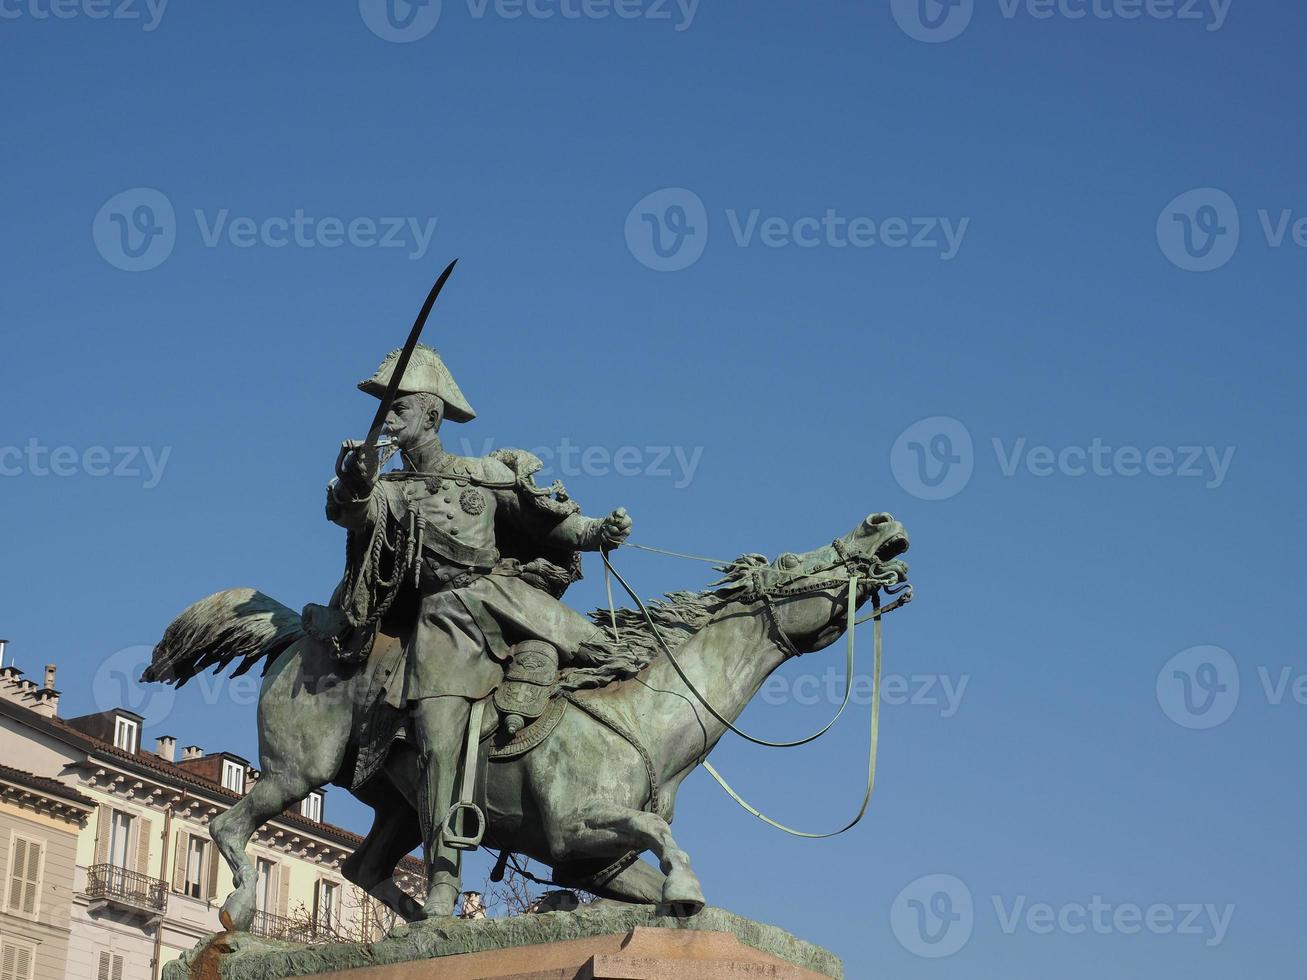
(598, 791)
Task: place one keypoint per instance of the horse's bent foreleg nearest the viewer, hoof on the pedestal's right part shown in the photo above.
(615, 829)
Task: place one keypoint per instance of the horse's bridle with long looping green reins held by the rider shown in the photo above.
(858, 568)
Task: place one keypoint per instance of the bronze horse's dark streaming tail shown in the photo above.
(235, 625)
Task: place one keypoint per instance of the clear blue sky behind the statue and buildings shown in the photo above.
(803, 263)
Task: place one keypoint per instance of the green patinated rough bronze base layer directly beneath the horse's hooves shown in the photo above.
(259, 960)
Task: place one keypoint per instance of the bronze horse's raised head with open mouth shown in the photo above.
(810, 590)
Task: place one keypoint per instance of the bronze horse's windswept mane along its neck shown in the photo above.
(678, 617)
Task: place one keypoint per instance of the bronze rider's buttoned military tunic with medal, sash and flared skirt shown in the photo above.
(446, 534)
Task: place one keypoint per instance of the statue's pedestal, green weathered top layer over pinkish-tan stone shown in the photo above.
(590, 944)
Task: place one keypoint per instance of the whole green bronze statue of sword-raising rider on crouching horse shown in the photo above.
(448, 685)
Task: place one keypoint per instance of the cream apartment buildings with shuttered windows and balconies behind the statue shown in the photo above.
(134, 879)
